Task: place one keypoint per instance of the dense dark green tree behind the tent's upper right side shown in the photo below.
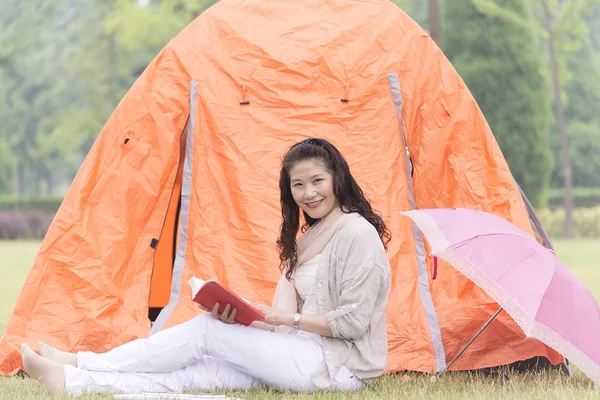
(503, 69)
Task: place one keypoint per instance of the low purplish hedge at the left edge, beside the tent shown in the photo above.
(24, 225)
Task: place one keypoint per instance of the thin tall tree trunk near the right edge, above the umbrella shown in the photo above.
(560, 114)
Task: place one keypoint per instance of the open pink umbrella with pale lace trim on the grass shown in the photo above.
(534, 287)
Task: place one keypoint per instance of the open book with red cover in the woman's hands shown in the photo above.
(207, 293)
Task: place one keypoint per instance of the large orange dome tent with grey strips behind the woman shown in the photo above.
(186, 170)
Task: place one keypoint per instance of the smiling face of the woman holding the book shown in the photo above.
(312, 188)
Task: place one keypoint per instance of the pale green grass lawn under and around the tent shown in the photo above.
(582, 257)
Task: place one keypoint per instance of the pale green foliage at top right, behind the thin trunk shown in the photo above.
(574, 39)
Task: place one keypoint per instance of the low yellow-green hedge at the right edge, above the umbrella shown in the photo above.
(586, 222)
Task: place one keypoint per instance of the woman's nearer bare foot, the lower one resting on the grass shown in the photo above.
(50, 373)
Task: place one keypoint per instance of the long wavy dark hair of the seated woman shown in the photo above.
(349, 195)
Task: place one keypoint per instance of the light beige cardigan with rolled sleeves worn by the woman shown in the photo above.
(353, 286)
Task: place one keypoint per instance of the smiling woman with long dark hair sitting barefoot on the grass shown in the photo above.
(326, 329)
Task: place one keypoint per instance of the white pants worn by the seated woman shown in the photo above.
(204, 353)
